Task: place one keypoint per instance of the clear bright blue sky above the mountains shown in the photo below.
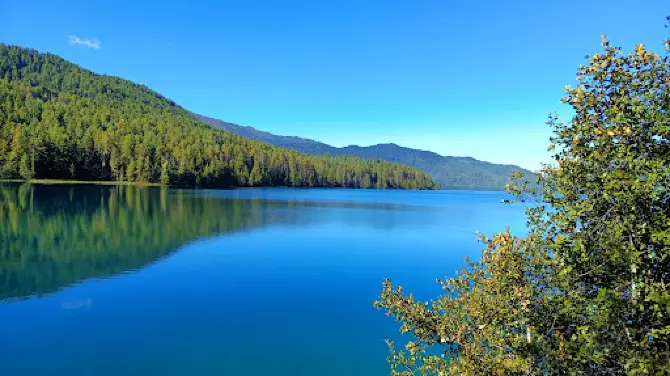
(465, 78)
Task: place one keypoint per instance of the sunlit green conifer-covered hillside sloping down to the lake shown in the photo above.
(60, 121)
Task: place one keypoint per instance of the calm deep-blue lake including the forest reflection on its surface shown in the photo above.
(122, 280)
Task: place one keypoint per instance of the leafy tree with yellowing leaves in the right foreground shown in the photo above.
(587, 291)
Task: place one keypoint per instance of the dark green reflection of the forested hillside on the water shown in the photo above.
(54, 236)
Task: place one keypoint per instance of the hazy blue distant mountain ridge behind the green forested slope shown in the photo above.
(450, 172)
